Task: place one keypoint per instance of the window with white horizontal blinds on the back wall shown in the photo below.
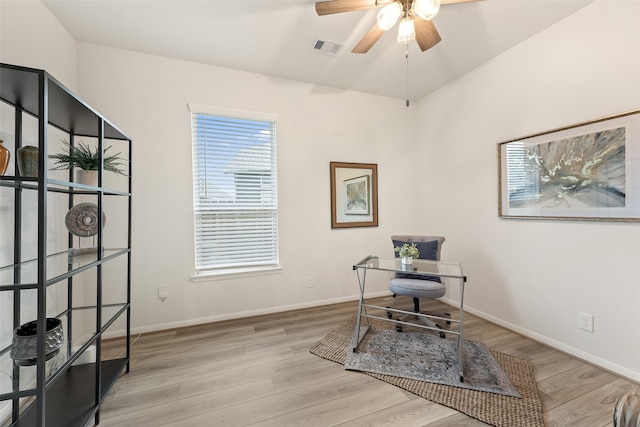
(234, 190)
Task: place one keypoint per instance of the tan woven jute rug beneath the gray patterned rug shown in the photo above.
(490, 408)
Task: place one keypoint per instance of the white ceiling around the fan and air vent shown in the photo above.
(276, 38)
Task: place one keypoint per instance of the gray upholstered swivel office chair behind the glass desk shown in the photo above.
(418, 287)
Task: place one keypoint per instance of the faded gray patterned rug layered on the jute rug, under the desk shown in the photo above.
(427, 357)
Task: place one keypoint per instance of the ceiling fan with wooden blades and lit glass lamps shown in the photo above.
(415, 19)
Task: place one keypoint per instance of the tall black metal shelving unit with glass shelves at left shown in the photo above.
(68, 389)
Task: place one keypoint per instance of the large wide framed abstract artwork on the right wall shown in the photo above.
(587, 171)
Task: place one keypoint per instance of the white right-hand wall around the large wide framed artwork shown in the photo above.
(535, 276)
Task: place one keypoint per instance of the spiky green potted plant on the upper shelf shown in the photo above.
(82, 157)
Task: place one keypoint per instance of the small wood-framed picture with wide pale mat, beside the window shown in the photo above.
(354, 194)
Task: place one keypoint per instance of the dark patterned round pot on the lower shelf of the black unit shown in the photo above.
(23, 348)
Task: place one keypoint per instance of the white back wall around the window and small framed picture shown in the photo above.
(147, 96)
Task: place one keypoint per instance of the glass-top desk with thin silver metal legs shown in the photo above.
(452, 270)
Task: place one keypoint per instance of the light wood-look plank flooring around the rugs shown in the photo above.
(258, 371)
